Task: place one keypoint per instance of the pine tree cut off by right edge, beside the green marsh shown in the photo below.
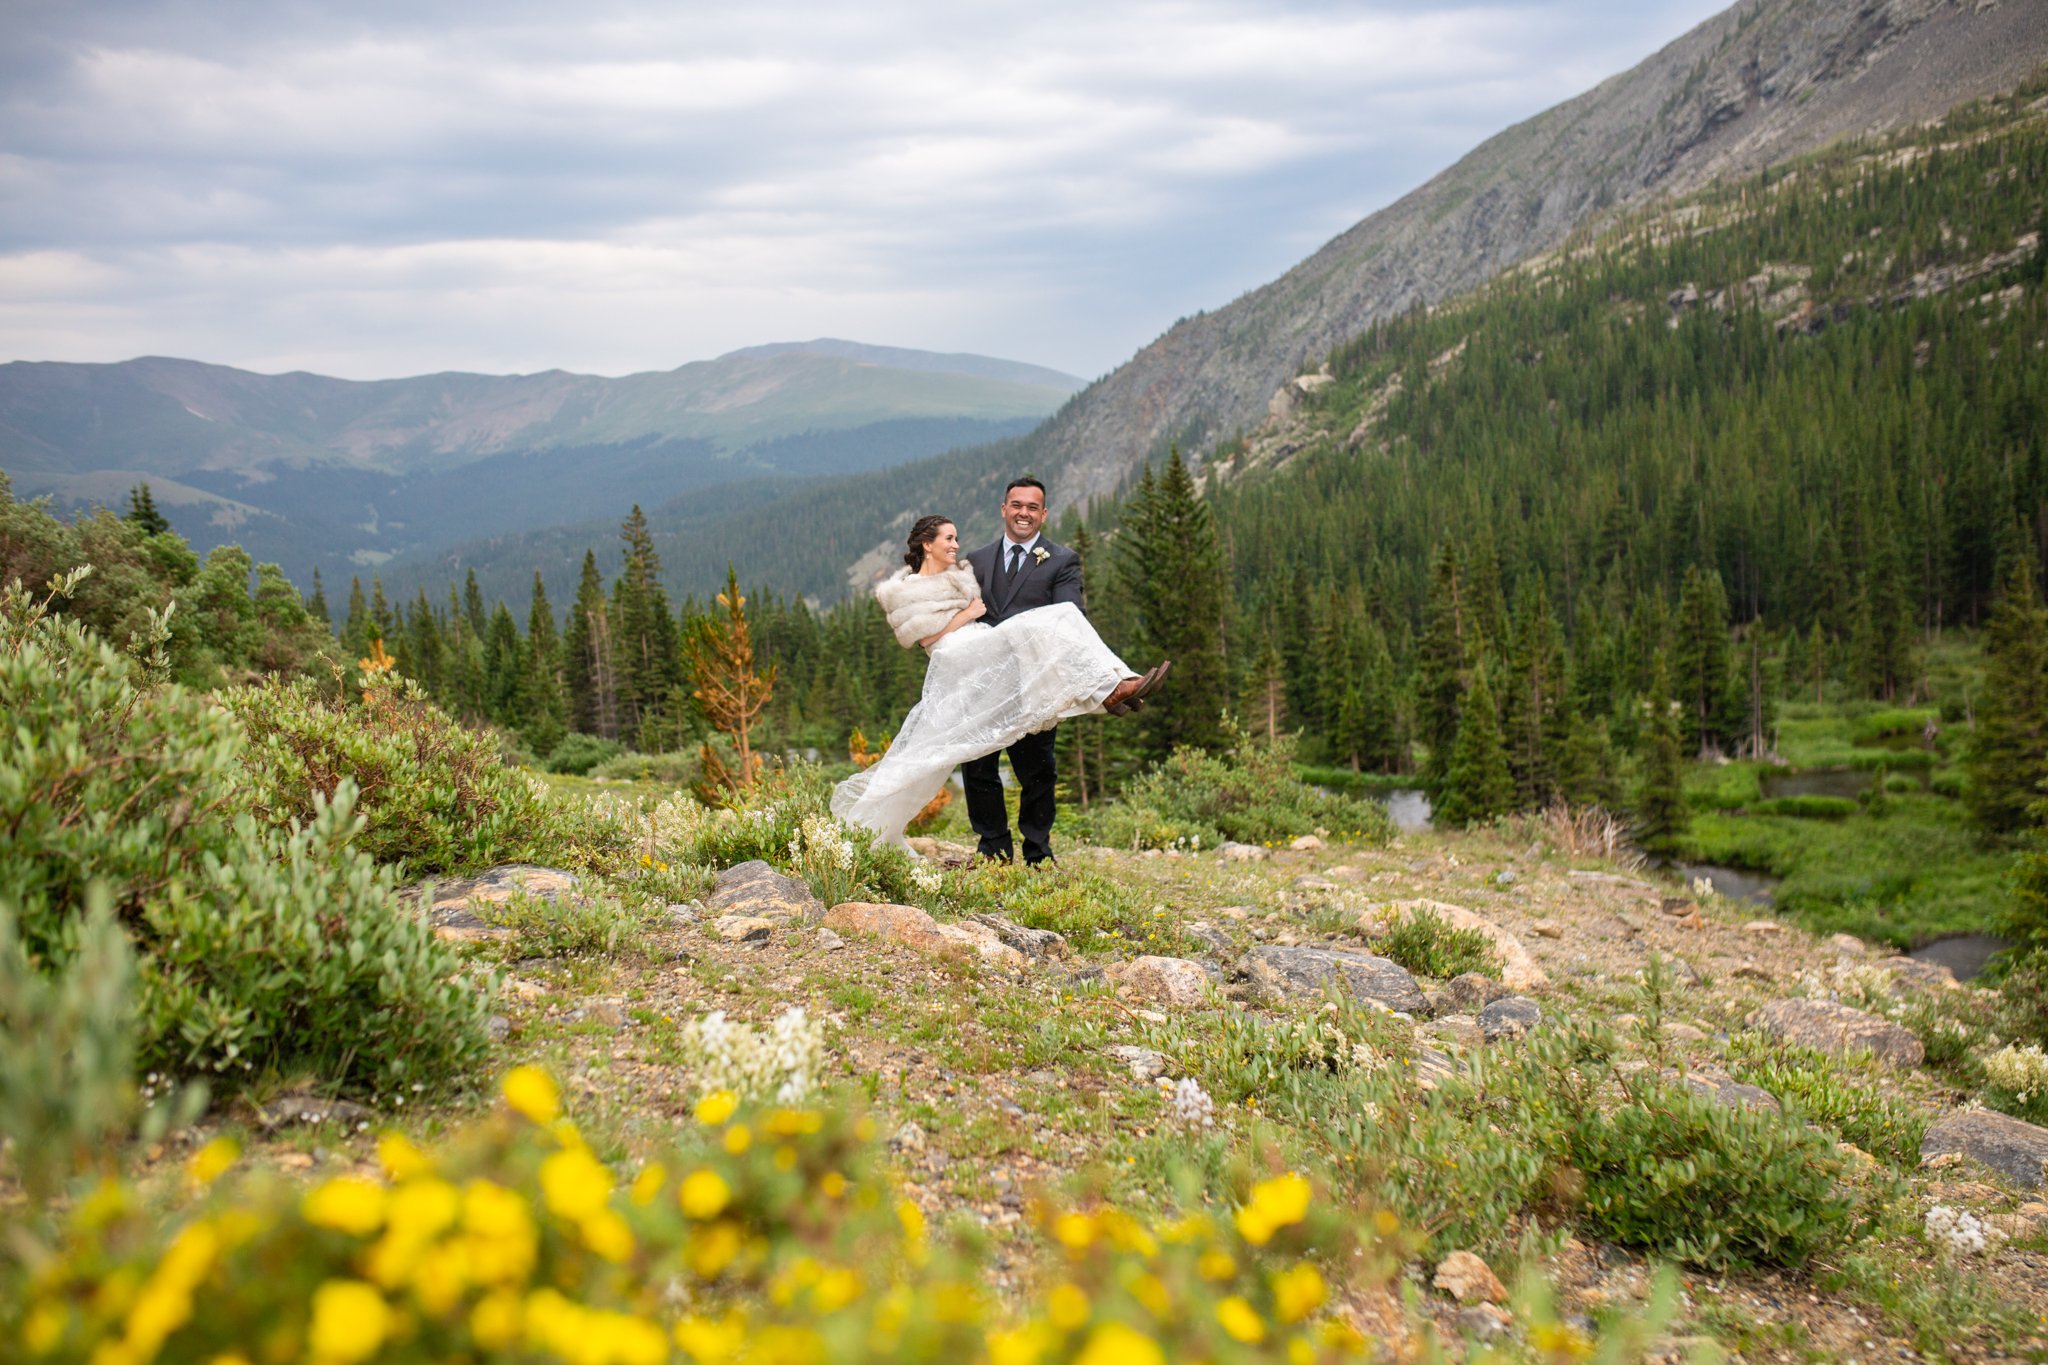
(2010, 748)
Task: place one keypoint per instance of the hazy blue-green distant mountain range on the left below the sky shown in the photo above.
(345, 478)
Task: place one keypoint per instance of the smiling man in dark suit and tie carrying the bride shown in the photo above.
(1021, 572)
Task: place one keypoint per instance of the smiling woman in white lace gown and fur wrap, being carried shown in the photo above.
(986, 687)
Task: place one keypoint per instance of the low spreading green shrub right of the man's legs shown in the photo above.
(1248, 793)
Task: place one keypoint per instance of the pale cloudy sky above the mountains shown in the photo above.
(388, 187)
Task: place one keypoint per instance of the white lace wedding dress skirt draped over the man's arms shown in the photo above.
(984, 691)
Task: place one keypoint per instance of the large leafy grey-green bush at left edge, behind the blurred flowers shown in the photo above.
(259, 951)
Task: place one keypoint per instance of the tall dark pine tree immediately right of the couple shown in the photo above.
(1172, 568)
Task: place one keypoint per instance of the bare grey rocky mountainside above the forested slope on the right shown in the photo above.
(1756, 85)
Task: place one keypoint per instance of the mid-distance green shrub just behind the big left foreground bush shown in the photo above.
(433, 795)
